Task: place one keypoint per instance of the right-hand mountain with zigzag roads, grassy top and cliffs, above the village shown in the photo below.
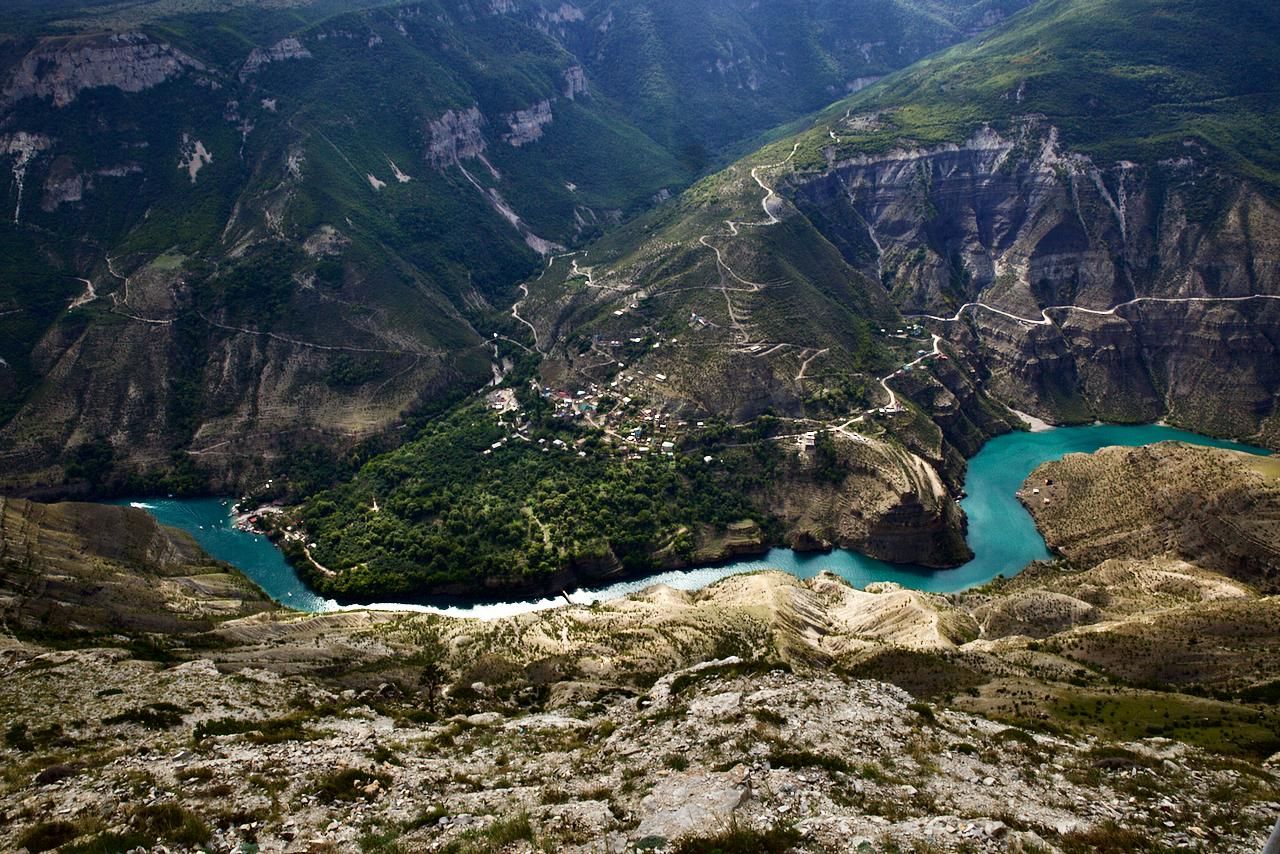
(1076, 262)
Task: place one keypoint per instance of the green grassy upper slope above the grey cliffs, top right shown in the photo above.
(1136, 80)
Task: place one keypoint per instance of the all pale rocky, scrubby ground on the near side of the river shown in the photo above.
(1109, 705)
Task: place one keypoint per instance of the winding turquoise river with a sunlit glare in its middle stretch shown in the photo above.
(1002, 533)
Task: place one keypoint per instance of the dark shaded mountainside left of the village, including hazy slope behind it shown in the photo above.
(244, 231)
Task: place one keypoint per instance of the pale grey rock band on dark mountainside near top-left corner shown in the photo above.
(62, 68)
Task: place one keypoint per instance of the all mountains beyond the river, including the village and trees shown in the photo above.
(336, 225)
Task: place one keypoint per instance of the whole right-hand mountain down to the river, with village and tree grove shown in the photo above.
(897, 277)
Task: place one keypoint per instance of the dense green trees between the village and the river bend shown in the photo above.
(450, 514)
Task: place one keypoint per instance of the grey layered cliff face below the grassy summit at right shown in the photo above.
(1021, 225)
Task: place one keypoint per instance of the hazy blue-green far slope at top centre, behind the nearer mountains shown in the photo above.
(701, 76)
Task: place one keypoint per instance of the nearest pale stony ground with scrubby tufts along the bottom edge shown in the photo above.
(831, 764)
